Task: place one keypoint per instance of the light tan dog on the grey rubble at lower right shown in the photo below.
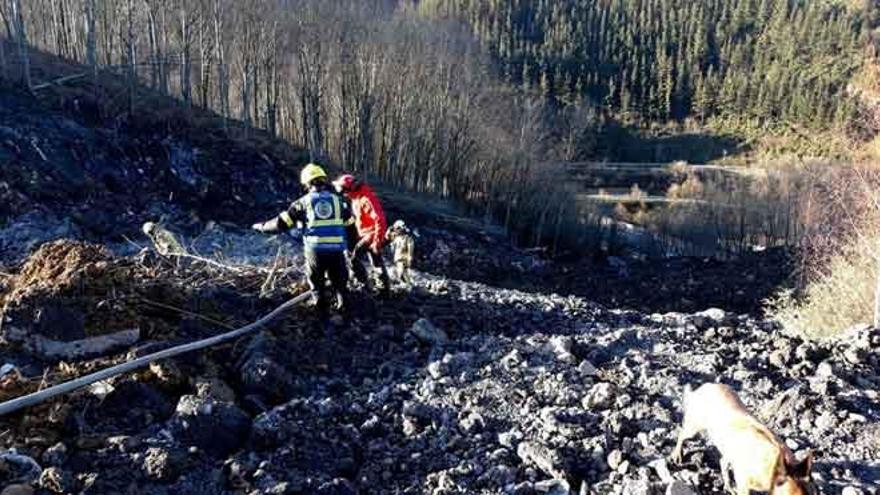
(759, 461)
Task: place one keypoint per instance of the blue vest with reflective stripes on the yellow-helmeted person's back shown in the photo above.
(325, 230)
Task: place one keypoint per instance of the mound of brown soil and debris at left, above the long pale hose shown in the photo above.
(69, 291)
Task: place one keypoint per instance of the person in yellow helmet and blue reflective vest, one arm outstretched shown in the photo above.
(324, 215)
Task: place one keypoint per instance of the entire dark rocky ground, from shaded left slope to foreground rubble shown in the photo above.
(501, 372)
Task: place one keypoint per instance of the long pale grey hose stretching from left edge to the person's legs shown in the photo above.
(63, 388)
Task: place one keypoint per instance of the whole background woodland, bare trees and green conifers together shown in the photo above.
(471, 100)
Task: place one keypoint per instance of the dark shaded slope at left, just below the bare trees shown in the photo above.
(67, 173)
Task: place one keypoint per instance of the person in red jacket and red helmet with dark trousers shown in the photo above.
(371, 225)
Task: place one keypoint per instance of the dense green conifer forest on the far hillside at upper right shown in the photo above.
(784, 60)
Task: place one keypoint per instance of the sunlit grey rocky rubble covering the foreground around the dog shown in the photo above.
(457, 387)
